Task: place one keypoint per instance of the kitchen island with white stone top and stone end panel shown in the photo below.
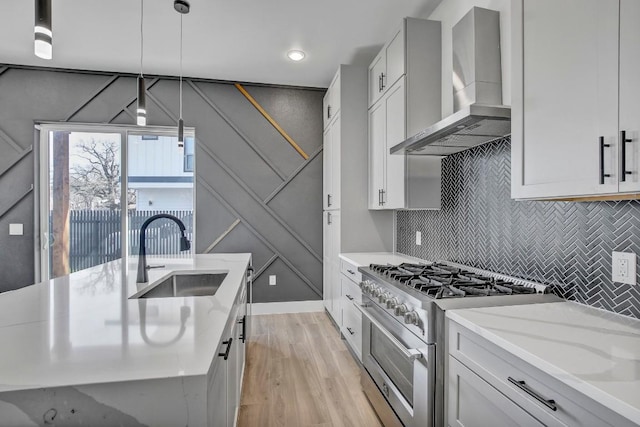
(78, 350)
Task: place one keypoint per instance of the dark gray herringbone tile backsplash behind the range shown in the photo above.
(565, 244)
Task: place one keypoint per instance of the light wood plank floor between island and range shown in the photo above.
(299, 373)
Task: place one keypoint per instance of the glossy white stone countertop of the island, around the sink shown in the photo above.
(84, 329)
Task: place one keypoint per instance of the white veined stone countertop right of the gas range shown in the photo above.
(593, 351)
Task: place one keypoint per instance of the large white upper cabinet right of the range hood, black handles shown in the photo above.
(575, 88)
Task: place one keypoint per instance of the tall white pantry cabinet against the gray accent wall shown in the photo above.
(348, 225)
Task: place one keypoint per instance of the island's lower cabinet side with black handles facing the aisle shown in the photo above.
(224, 385)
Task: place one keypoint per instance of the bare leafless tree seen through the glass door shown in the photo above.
(95, 182)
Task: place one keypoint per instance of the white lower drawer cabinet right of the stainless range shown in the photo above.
(489, 386)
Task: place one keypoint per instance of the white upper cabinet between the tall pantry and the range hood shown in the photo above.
(404, 98)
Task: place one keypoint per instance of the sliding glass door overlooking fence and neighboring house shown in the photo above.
(98, 184)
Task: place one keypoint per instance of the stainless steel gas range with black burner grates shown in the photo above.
(403, 331)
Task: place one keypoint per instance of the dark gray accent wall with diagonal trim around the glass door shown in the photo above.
(254, 192)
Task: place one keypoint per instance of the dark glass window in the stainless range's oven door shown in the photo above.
(397, 367)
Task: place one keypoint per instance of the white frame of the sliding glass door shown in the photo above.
(42, 187)
